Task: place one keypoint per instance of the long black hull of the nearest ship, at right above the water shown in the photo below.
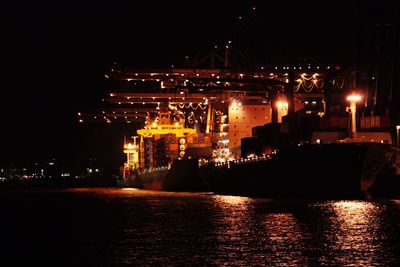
(311, 171)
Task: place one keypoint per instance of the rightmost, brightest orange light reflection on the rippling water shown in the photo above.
(355, 232)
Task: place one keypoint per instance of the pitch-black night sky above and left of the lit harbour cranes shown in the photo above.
(55, 54)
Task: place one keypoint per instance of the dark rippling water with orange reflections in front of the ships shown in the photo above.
(127, 227)
